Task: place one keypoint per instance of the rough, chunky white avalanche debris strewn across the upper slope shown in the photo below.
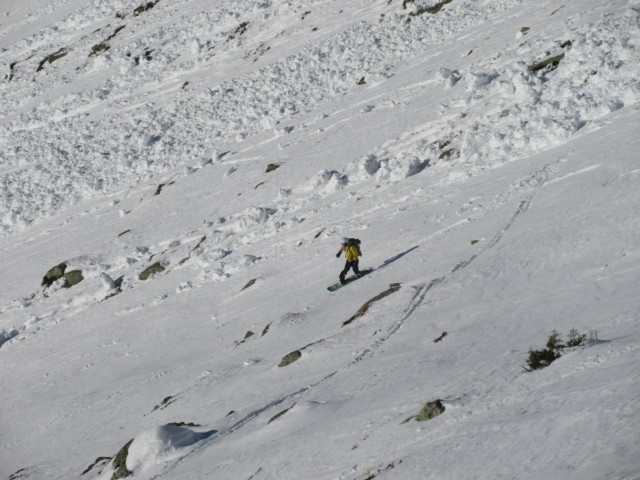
(105, 135)
